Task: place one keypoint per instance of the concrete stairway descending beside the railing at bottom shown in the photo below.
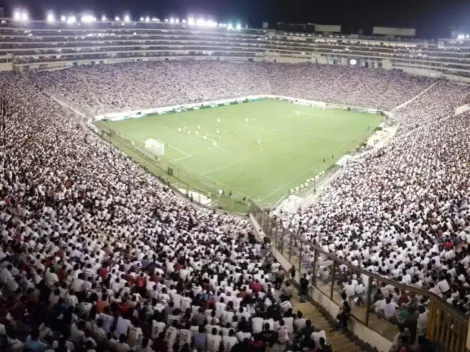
(340, 342)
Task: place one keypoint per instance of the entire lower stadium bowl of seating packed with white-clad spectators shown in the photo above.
(96, 254)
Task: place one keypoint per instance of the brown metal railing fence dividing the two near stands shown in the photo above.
(447, 327)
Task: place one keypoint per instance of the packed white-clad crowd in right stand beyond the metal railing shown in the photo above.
(402, 211)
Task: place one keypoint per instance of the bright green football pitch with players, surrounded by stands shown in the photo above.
(259, 150)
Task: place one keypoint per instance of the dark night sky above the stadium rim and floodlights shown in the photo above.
(431, 18)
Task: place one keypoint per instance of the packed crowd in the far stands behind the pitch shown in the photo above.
(111, 88)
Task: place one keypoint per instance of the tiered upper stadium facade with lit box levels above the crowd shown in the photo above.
(41, 45)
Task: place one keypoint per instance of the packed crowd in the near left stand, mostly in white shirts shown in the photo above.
(96, 255)
